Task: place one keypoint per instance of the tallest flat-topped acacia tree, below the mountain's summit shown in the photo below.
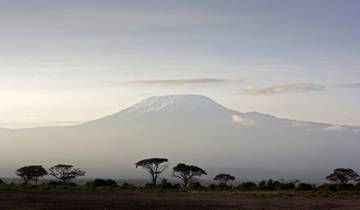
(154, 166)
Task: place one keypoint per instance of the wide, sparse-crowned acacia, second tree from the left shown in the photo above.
(65, 173)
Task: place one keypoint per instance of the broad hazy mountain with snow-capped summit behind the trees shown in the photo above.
(192, 129)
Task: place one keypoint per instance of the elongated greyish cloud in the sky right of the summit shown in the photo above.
(286, 88)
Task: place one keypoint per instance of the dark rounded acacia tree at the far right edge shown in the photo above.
(343, 176)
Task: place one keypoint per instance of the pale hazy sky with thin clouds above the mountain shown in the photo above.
(65, 62)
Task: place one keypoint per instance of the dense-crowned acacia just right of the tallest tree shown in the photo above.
(186, 173)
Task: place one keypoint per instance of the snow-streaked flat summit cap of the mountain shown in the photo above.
(171, 103)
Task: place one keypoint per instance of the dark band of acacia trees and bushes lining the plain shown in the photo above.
(341, 180)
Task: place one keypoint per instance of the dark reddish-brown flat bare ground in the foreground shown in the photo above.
(30, 200)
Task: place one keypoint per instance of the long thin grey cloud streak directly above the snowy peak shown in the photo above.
(179, 81)
